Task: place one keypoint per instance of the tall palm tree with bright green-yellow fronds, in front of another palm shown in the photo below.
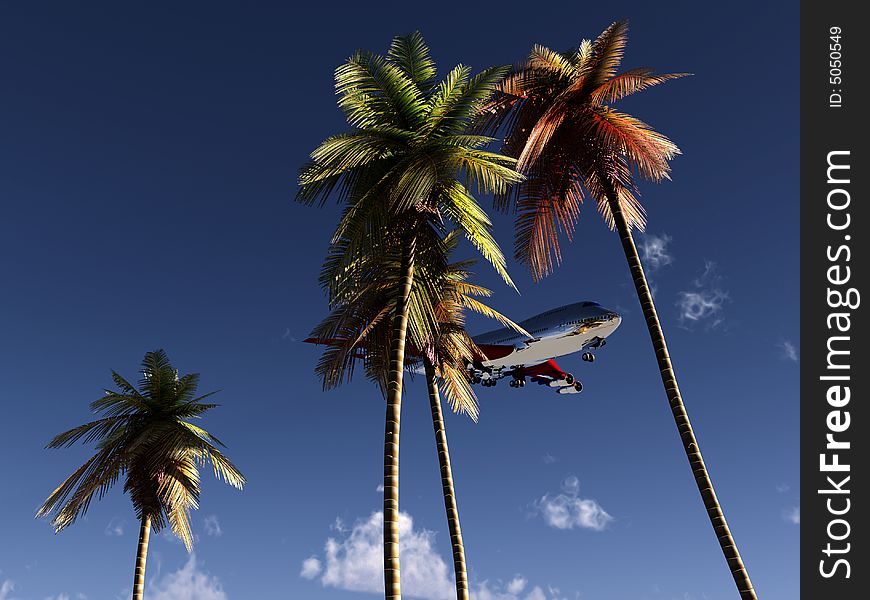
(407, 165)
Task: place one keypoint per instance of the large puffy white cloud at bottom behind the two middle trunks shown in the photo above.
(354, 562)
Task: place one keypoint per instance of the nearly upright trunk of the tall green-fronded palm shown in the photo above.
(392, 586)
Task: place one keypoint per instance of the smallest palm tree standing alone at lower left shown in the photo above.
(146, 437)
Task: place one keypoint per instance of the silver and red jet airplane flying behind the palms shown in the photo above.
(578, 327)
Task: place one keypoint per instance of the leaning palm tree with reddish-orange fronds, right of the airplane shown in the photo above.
(571, 143)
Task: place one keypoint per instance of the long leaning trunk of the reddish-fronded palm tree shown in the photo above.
(684, 427)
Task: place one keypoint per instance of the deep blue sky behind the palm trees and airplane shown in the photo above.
(147, 172)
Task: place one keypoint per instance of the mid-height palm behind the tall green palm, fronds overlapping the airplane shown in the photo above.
(360, 329)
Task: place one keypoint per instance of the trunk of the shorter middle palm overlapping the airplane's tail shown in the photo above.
(447, 485)
